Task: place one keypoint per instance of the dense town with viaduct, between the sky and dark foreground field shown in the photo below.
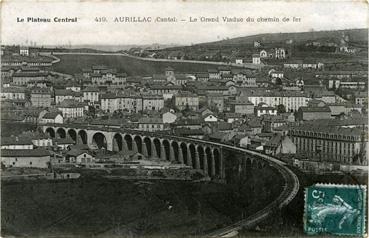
(183, 113)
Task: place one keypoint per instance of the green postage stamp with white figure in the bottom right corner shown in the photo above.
(335, 209)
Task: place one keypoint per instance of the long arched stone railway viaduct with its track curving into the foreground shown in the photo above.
(199, 154)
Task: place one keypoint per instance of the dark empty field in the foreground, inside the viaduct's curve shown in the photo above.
(102, 207)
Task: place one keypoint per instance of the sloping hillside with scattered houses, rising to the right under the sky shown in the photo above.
(243, 47)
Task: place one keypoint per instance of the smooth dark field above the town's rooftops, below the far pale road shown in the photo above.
(72, 64)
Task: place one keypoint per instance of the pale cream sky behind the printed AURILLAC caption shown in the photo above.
(316, 15)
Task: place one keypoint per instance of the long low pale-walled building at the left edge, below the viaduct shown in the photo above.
(25, 158)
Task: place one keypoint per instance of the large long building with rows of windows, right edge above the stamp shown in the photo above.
(330, 143)
